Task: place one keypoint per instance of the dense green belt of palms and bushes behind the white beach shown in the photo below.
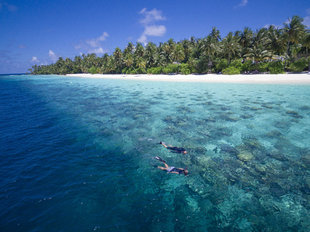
(271, 49)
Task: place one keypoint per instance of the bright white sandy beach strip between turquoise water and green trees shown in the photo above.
(299, 79)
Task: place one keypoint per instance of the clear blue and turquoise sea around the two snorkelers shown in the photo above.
(77, 154)
